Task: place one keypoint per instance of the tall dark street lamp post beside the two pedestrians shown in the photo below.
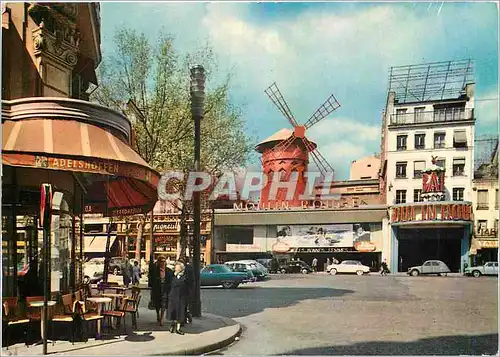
(197, 111)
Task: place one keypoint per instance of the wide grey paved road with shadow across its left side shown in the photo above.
(351, 315)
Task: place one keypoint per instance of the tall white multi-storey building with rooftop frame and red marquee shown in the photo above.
(424, 126)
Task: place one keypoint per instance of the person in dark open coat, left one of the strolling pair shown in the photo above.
(160, 281)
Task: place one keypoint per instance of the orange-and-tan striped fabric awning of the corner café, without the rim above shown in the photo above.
(121, 182)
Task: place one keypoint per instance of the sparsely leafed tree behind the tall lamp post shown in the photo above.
(154, 81)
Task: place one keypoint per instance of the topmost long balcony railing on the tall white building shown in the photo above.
(436, 116)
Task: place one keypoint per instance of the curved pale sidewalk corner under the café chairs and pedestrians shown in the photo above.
(206, 334)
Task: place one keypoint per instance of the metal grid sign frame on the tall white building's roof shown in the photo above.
(430, 81)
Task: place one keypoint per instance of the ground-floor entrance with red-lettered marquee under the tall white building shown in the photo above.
(430, 230)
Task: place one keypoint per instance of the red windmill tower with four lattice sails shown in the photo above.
(287, 152)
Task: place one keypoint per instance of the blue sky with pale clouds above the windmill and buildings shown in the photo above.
(312, 50)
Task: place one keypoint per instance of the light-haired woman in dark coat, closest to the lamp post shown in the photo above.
(177, 299)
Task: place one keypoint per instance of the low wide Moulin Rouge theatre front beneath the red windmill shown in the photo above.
(344, 229)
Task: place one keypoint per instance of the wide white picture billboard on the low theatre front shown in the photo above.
(322, 236)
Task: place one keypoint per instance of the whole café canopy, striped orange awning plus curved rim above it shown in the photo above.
(118, 181)
